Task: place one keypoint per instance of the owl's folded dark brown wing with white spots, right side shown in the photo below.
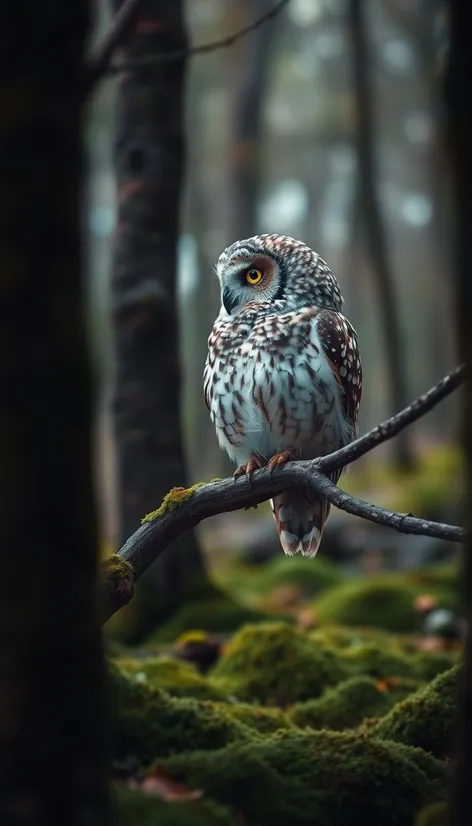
(339, 341)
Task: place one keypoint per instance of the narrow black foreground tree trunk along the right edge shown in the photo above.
(460, 141)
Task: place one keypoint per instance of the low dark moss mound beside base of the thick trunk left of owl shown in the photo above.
(222, 615)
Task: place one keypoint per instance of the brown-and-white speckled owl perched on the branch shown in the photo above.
(283, 376)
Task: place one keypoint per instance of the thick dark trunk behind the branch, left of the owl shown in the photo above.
(149, 163)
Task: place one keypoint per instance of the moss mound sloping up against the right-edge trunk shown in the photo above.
(426, 718)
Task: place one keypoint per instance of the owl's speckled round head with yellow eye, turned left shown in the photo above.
(270, 268)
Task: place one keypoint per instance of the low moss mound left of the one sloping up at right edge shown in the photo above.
(343, 707)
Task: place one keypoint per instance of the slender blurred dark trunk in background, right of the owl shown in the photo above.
(373, 228)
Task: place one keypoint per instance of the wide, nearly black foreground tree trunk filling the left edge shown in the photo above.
(52, 739)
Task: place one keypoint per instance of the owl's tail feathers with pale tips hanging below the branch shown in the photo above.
(300, 522)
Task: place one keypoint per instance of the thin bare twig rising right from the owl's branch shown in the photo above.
(390, 428)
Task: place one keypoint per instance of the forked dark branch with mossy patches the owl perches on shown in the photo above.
(185, 509)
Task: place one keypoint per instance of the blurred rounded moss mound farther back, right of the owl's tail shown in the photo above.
(380, 600)
